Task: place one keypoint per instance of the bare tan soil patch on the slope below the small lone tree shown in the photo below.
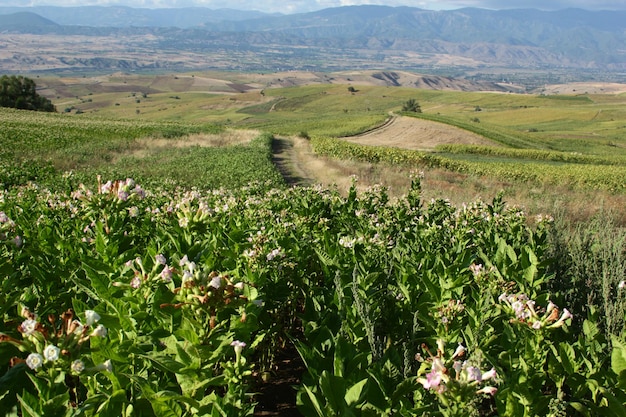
(417, 134)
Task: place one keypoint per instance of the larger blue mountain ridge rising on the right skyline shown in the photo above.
(531, 36)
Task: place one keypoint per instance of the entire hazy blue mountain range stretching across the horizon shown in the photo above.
(363, 36)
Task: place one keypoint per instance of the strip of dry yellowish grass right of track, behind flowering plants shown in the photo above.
(577, 206)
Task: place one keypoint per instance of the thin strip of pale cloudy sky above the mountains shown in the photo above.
(302, 6)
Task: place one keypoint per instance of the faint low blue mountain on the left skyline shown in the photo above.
(121, 16)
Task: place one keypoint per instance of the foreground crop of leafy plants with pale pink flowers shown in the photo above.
(118, 300)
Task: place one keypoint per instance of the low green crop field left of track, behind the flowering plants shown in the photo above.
(43, 146)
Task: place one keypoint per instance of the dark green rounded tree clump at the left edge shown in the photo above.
(21, 93)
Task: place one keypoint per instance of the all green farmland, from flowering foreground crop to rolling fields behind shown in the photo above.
(155, 263)
